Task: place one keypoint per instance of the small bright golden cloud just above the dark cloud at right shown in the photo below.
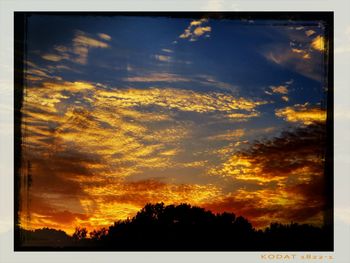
(302, 113)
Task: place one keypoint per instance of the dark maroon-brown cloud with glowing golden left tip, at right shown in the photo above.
(295, 155)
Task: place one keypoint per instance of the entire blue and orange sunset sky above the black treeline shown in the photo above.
(122, 111)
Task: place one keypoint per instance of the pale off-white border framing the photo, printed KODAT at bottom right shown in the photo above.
(342, 124)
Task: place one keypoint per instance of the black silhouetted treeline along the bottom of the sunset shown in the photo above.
(157, 227)
